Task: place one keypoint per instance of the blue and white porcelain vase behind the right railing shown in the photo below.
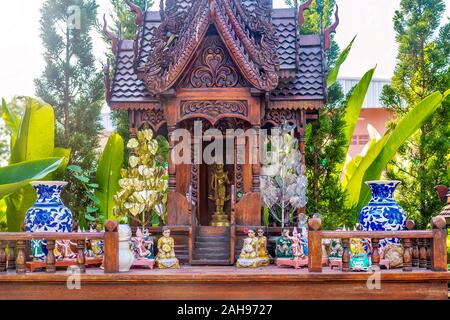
(383, 213)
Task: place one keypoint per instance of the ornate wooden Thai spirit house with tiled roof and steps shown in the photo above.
(230, 64)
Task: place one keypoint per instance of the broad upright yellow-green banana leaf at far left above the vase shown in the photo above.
(34, 140)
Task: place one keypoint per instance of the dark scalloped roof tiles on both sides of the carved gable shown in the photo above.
(298, 80)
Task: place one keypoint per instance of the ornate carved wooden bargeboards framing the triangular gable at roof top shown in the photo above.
(250, 38)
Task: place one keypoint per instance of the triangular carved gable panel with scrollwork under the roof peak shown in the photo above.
(212, 67)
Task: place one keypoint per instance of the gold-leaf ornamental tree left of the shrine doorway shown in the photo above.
(143, 185)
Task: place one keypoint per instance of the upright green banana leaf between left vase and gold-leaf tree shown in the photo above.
(108, 174)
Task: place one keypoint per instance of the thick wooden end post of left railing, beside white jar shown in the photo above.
(111, 244)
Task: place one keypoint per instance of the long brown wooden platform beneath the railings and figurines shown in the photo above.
(188, 282)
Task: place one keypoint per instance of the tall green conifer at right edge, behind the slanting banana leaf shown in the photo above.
(422, 67)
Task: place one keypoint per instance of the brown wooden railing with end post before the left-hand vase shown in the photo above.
(17, 244)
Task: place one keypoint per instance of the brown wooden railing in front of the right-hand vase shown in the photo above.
(422, 248)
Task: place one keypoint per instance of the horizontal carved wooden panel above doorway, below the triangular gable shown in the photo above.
(213, 109)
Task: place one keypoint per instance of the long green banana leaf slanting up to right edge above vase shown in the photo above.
(407, 126)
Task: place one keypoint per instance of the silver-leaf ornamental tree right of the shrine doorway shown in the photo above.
(283, 180)
